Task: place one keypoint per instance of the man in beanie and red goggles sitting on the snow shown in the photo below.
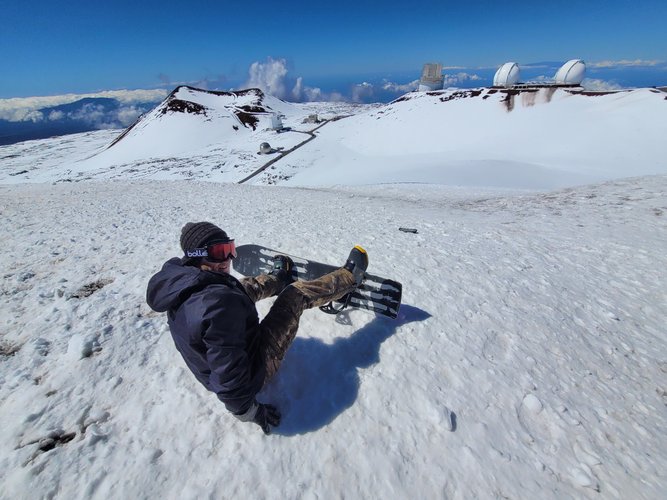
(214, 322)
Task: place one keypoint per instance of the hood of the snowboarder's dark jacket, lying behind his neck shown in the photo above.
(175, 282)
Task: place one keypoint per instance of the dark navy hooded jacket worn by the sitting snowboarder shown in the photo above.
(215, 327)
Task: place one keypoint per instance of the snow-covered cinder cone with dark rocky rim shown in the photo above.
(194, 123)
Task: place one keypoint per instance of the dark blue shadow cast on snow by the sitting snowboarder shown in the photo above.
(318, 381)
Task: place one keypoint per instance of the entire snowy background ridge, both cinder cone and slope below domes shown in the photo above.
(523, 138)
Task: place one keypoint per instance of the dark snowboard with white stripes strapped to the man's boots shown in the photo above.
(375, 293)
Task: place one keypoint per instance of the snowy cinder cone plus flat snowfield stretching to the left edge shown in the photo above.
(192, 134)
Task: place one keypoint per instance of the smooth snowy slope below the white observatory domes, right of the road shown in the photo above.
(545, 138)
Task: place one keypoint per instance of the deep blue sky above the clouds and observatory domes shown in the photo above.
(51, 48)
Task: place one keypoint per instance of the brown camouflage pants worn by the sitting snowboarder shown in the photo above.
(279, 327)
